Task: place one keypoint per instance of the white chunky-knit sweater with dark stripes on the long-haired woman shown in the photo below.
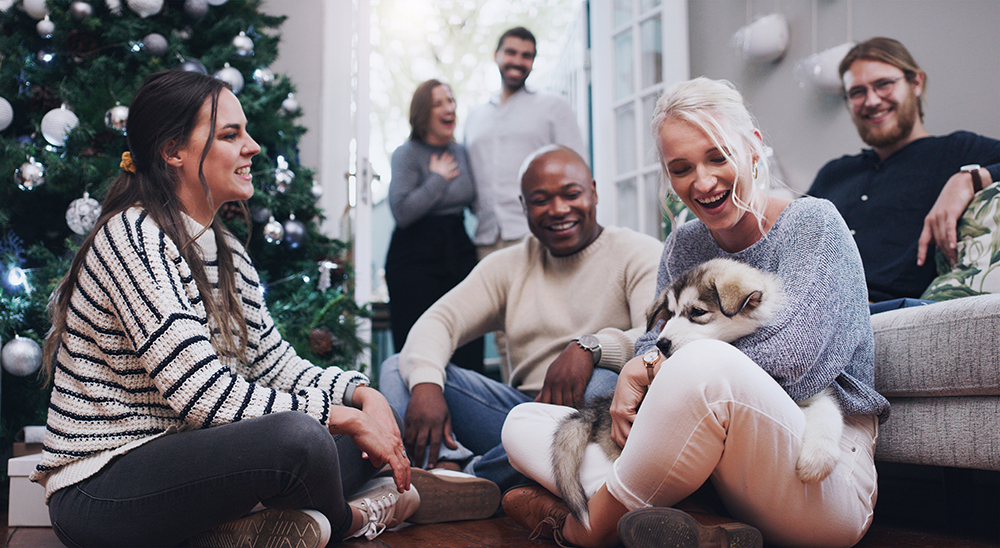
(136, 362)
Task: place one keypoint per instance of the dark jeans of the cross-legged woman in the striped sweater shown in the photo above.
(178, 485)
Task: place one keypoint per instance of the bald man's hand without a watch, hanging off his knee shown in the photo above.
(427, 424)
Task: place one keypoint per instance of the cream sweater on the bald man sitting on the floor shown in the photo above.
(542, 302)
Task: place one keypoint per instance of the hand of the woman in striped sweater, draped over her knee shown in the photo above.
(379, 445)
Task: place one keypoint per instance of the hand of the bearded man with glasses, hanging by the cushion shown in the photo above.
(941, 222)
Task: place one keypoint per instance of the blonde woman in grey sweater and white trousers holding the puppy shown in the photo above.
(724, 416)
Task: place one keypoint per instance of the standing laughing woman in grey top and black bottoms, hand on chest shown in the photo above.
(431, 187)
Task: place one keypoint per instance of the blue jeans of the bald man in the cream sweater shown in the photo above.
(478, 406)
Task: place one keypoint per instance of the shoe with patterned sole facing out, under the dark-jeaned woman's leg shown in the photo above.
(270, 527)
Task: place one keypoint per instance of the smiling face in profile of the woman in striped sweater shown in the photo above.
(227, 165)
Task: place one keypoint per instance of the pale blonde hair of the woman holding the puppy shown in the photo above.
(718, 109)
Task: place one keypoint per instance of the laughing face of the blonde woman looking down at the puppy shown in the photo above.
(705, 180)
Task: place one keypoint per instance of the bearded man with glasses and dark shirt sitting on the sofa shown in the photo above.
(908, 191)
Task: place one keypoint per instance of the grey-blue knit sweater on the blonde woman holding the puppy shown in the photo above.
(823, 334)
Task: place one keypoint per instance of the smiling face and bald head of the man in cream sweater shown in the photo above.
(560, 200)
